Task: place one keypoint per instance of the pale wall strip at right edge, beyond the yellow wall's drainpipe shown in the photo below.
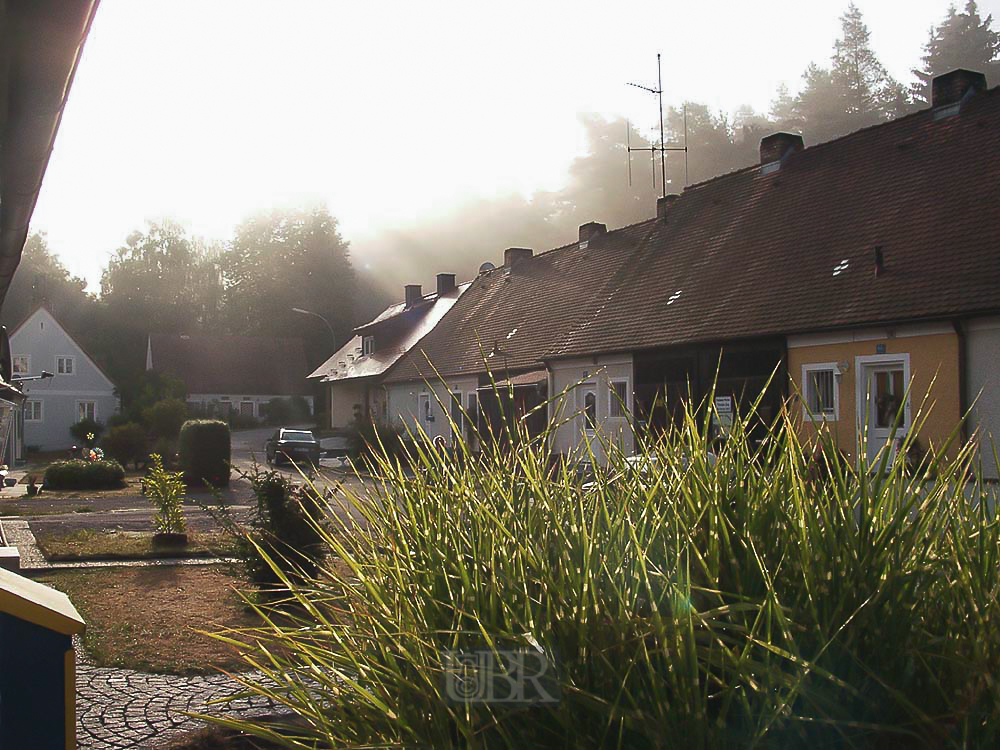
(983, 381)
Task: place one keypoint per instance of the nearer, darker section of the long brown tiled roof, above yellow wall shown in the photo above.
(749, 254)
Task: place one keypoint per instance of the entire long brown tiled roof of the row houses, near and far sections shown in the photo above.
(751, 254)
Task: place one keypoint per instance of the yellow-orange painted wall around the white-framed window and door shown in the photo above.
(930, 355)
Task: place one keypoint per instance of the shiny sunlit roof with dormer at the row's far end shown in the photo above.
(397, 330)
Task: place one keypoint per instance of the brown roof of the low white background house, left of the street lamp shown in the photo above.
(249, 365)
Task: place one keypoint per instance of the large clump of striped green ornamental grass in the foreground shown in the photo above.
(771, 595)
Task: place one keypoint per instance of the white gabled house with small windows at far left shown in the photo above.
(78, 388)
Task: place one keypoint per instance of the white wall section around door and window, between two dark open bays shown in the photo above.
(568, 381)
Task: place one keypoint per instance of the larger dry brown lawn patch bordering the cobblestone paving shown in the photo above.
(145, 618)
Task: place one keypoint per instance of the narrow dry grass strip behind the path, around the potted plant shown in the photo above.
(87, 544)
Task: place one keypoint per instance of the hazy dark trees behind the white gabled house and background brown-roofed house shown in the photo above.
(163, 280)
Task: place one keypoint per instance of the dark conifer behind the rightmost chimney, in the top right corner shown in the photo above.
(962, 40)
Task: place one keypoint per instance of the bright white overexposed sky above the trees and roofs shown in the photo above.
(205, 111)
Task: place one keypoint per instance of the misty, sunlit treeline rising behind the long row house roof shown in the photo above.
(851, 91)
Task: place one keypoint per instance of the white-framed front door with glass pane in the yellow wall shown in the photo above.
(883, 411)
